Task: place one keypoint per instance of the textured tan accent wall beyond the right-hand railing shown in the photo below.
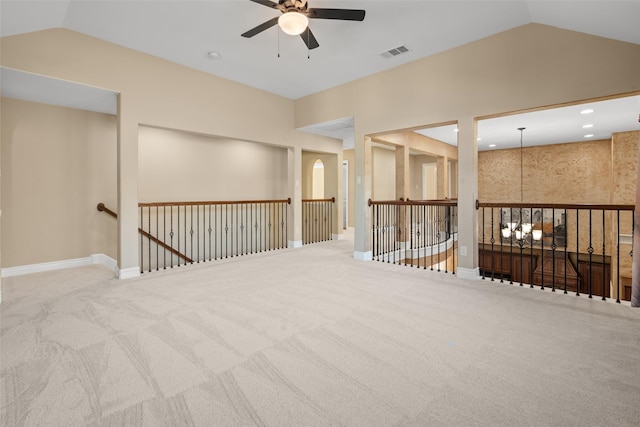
(601, 172)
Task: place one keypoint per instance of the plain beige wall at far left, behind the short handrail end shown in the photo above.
(57, 165)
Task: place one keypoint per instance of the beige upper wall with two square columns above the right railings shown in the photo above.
(527, 67)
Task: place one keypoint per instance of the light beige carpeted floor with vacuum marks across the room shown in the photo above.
(309, 336)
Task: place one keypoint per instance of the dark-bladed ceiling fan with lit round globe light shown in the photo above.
(295, 18)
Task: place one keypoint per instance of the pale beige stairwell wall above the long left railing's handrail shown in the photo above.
(180, 166)
